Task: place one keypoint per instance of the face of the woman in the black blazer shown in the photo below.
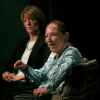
(31, 26)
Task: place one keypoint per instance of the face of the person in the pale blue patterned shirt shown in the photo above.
(54, 38)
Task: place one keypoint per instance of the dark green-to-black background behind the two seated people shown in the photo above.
(81, 20)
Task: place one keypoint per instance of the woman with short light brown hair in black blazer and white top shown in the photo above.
(33, 50)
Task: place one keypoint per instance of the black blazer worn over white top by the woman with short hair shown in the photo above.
(38, 57)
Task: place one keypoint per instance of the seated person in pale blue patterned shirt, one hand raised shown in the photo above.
(62, 59)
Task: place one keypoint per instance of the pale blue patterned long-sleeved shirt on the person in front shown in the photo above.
(54, 70)
